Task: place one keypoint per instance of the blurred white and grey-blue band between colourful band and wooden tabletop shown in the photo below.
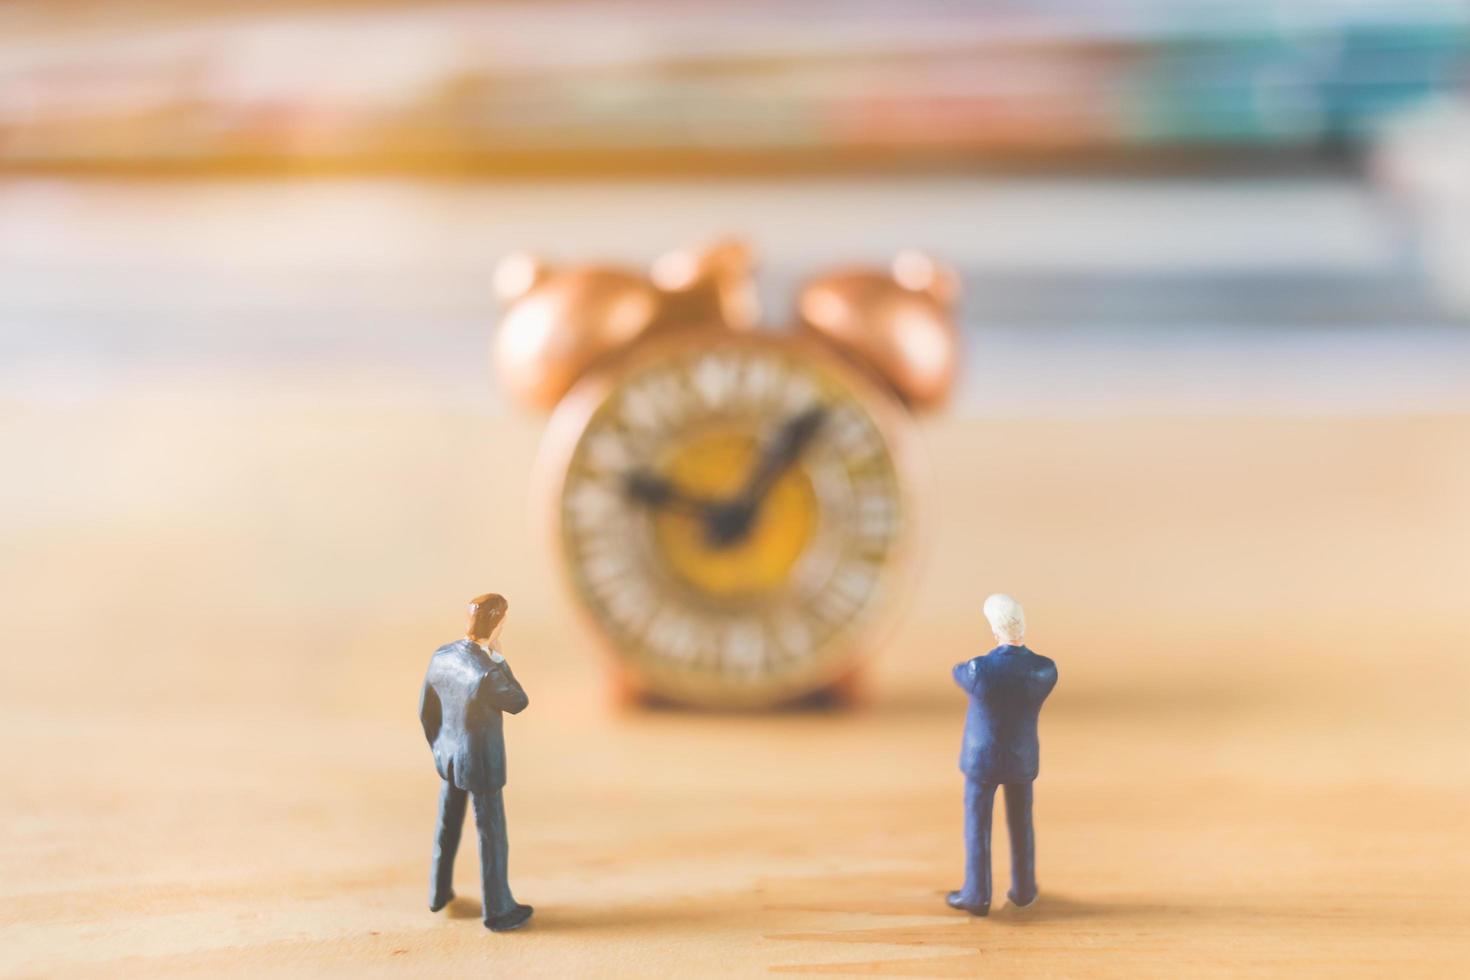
(117, 284)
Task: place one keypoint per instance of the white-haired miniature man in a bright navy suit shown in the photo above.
(1006, 688)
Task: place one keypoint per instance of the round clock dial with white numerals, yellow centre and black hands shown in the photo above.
(733, 516)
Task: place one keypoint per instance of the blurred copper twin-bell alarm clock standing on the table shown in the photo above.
(734, 509)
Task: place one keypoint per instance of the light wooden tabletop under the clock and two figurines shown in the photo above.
(220, 600)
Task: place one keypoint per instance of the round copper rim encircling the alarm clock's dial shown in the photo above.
(897, 428)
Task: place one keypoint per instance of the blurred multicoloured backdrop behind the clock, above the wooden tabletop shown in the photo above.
(1256, 205)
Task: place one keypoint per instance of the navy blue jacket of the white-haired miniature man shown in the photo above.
(1006, 688)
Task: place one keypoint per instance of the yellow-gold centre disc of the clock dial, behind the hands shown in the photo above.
(715, 466)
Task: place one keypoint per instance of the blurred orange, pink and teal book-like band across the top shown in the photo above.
(627, 84)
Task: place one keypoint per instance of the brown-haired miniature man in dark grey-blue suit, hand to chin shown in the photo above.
(465, 693)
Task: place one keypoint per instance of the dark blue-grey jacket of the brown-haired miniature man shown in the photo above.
(464, 697)
